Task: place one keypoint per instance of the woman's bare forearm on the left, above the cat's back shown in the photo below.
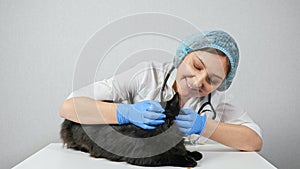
(85, 110)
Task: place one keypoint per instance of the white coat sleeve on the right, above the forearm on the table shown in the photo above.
(235, 115)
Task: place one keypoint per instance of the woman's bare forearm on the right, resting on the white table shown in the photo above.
(233, 135)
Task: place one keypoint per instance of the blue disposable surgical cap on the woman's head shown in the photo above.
(211, 39)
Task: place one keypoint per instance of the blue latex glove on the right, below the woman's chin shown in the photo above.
(190, 122)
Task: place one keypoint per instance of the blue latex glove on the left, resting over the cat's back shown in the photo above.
(145, 114)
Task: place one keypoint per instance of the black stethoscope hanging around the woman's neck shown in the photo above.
(204, 106)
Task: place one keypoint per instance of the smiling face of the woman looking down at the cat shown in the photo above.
(200, 73)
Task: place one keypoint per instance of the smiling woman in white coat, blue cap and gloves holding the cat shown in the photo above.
(201, 72)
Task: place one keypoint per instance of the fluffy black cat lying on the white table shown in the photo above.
(101, 141)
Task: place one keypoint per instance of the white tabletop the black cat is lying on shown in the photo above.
(54, 156)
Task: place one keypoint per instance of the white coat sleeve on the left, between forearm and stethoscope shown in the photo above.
(119, 88)
